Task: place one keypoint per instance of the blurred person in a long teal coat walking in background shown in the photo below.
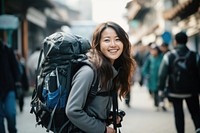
(150, 71)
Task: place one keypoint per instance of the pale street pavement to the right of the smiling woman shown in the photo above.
(142, 117)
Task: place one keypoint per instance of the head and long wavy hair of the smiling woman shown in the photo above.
(112, 44)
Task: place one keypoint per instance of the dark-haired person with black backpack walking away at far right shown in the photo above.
(182, 67)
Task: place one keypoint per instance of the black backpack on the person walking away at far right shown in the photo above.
(183, 75)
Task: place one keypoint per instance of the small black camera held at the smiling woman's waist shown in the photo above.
(120, 113)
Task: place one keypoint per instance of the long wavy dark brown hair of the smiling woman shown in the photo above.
(124, 64)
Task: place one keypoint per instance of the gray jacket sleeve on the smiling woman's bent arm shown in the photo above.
(81, 84)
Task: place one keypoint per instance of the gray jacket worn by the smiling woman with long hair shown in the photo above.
(90, 121)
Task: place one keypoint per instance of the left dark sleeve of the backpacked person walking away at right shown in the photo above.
(163, 73)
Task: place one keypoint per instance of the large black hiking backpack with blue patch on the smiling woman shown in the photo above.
(63, 54)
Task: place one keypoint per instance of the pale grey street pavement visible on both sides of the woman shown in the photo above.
(142, 117)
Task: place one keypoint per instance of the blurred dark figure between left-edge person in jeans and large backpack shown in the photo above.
(23, 80)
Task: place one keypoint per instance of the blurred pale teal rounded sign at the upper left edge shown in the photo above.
(8, 22)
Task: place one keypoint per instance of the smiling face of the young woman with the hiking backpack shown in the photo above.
(110, 44)
